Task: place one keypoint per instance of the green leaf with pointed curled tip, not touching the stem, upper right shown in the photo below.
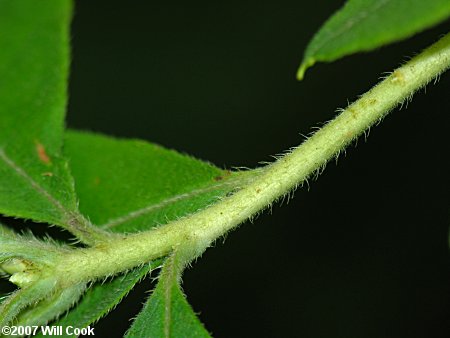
(363, 25)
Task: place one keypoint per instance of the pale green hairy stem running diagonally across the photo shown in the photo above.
(277, 179)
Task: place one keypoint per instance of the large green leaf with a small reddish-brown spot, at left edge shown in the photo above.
(34, 52)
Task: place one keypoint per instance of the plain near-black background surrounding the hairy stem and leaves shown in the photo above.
(364, 252)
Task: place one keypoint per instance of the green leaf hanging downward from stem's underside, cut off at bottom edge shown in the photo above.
(167, 313)
